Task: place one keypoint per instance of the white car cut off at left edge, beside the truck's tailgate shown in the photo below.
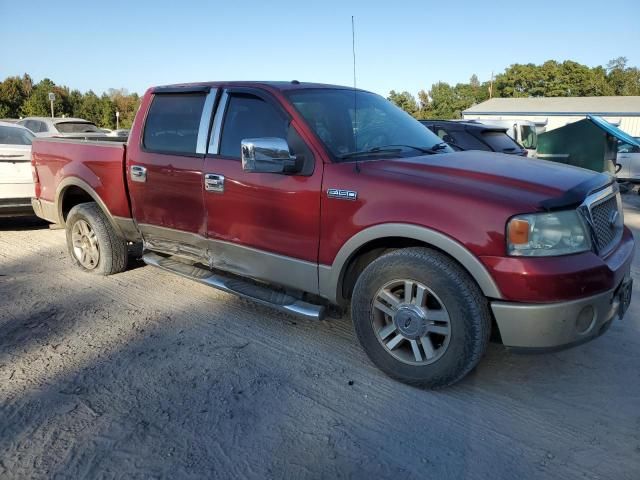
(16, 181)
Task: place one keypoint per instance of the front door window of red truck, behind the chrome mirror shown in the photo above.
(249, 117)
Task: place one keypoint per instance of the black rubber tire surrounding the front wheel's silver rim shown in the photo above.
(469, 320)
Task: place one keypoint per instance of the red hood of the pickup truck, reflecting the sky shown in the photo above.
(539, 184)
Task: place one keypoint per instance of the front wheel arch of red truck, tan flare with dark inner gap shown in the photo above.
(371, 242)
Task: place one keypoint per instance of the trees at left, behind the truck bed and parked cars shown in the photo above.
(21, 97)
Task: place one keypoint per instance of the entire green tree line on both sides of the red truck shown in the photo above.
(20, 97)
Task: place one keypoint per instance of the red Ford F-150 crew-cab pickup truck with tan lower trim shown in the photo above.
(301, 196)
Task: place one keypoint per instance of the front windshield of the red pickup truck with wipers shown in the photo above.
(356, 124)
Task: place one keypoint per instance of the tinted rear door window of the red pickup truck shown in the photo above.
(173, 122)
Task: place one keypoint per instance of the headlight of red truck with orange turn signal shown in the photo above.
(547, 234)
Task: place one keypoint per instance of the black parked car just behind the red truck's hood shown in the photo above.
(474, 136)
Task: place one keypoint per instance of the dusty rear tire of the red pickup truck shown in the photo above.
(112, 249)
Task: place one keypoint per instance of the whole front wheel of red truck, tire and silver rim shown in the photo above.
(420, 318)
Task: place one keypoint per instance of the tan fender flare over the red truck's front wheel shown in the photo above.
(330, 277)
